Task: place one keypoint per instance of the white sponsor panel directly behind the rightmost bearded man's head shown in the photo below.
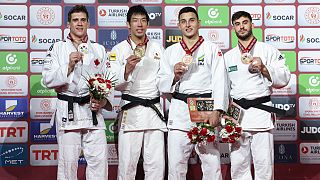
(255, 12)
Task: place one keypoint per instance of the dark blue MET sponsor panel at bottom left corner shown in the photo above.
(13, 155)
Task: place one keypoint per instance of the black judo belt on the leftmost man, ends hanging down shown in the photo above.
(79, 100)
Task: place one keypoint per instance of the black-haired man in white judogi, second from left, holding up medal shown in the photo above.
(141, 120)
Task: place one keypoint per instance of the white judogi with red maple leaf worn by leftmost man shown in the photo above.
(79, 133)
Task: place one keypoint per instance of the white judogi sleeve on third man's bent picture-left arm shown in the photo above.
(166, 73)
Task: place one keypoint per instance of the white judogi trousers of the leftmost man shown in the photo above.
(94, 146)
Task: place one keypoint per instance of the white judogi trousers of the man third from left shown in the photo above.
(179, 150)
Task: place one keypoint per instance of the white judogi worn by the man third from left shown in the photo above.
(207, 74)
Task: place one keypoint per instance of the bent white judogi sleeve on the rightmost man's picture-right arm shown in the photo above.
(279, 73)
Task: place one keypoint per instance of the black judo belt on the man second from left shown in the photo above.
(136, 101)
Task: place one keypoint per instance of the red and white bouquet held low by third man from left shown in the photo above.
(201, 133)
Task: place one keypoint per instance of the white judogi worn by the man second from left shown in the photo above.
(140, 127)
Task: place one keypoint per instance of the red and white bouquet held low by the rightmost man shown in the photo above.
(231, 130)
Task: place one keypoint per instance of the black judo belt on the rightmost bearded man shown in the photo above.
(257, 103)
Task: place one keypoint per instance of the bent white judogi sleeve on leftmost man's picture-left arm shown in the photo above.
(55, 70)
